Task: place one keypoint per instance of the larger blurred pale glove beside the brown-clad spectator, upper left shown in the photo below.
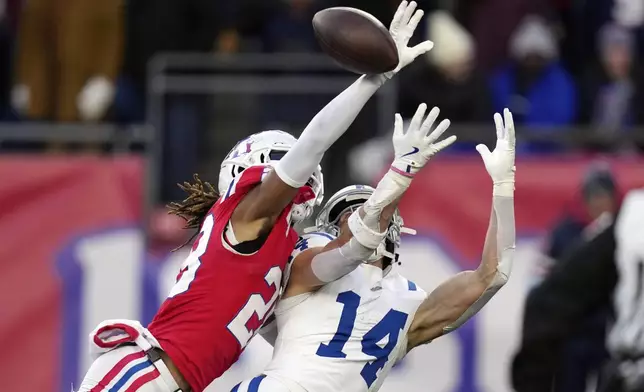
(95, 98)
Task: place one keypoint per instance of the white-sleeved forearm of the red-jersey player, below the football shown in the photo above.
(327, 126)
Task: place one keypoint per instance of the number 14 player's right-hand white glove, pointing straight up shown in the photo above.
(500, 162)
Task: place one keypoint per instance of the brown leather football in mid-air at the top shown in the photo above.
(356, 40)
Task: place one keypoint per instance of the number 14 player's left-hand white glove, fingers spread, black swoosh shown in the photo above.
(415, 147)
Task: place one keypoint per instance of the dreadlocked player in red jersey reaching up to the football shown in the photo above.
(232, 278)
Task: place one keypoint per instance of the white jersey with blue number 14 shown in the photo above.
(347, 335)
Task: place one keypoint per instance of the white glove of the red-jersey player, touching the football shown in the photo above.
(401, 29)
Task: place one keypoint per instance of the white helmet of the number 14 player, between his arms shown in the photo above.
(349, 199)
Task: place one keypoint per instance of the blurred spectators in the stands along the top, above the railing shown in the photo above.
(553, 62)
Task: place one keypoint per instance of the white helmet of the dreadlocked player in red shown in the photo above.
(266, 148)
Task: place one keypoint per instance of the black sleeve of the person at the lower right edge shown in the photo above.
(579, 283)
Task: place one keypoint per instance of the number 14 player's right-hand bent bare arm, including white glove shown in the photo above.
(454, 302)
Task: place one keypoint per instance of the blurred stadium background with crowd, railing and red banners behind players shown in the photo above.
(105, 105)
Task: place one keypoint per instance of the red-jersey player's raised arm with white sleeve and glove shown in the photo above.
(264, 204)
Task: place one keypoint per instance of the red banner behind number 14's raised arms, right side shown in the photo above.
(452, 198)
